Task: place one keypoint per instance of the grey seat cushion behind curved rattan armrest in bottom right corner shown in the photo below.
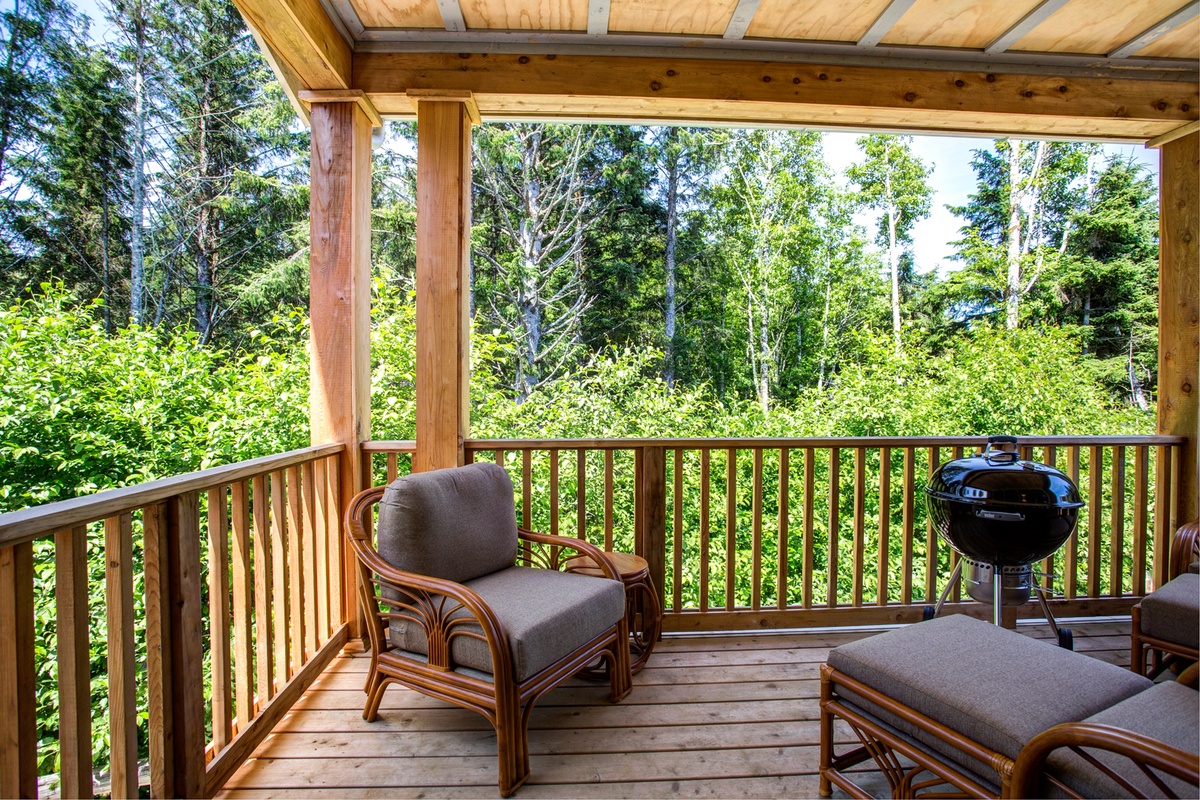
(1168, 713)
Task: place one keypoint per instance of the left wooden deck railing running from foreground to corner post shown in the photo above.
(239, 576)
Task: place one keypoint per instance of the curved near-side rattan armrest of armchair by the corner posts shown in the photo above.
(358, 515)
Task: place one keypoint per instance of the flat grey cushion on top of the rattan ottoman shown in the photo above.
(994, 687)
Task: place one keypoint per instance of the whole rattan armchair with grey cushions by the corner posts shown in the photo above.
(464, 606)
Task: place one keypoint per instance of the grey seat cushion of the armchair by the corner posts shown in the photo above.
(545, 615)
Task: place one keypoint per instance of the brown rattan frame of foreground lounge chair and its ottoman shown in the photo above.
(1019, 779)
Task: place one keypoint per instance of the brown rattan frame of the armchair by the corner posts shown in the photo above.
(439, 607)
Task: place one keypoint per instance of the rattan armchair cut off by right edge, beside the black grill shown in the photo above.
(1166, 625)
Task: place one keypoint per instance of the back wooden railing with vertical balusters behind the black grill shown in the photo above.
(739, 532)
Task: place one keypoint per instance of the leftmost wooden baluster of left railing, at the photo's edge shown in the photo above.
(19, 733)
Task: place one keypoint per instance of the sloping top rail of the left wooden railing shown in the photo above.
(26, 525)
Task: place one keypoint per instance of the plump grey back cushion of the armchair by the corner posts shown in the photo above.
(457, 525)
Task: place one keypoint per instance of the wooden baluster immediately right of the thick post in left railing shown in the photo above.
(219, 619)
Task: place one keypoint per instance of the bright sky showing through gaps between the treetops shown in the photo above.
(953, 181)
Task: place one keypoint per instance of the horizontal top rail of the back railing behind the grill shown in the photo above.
(797, 443)
